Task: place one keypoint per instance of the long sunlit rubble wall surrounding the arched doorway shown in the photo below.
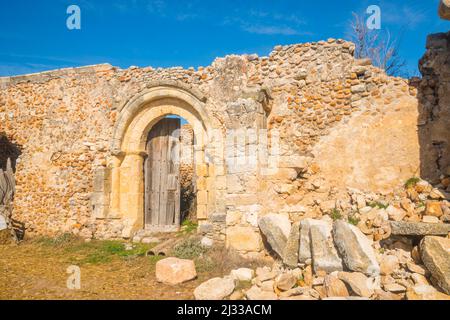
(341, 122)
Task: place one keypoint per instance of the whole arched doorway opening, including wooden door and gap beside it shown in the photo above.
(169, 175)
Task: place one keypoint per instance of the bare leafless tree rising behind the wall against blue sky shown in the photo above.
(377, 45)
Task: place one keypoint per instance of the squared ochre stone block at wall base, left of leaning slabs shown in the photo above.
(243, 239)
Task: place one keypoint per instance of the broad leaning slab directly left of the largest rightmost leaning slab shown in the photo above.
(324, 254)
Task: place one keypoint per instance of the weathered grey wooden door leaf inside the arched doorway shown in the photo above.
(162, 183)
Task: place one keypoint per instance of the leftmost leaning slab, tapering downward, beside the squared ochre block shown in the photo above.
(276, 228)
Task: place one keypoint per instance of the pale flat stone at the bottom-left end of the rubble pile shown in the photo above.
(215, 289)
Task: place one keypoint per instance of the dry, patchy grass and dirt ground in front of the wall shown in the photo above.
(37, 269)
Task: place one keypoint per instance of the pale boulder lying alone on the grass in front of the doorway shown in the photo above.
(175, 271)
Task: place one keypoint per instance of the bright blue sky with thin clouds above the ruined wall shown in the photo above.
(164, 33)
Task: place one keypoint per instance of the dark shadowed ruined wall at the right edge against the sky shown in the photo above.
(434, 99)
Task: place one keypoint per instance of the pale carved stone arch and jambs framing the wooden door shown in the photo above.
(136, 119)
